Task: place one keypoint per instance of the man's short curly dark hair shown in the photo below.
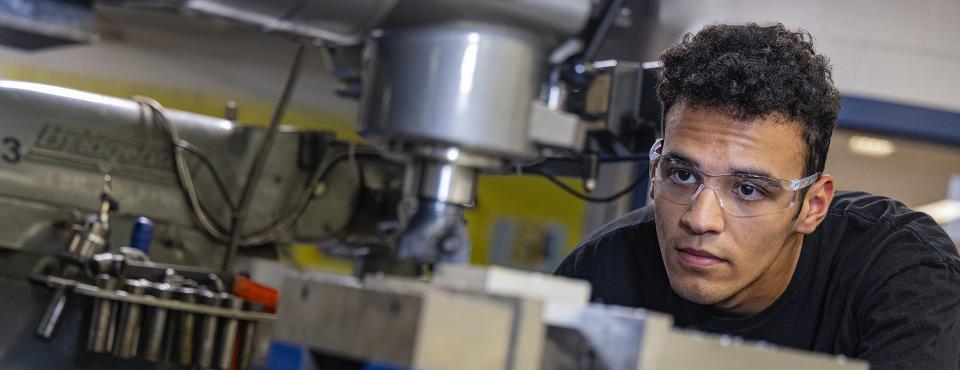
(750, 71)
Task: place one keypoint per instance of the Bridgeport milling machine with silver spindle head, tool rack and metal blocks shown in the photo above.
(449, 89)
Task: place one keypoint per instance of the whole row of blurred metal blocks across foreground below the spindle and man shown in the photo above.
(404, 322)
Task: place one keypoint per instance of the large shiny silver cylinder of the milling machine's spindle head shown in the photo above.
(463, 85)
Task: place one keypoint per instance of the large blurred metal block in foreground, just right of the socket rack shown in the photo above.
(404, 325)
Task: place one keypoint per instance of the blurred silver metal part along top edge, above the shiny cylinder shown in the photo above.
(349, 22)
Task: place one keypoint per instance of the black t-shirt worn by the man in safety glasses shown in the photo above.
(875, 281)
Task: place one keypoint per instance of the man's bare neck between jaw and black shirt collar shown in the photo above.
(765, 290)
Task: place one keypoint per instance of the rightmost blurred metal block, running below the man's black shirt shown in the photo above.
(620, 338)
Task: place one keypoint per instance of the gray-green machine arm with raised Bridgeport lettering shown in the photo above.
(58, 143)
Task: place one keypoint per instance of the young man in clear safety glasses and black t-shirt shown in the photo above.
(746, 235)
